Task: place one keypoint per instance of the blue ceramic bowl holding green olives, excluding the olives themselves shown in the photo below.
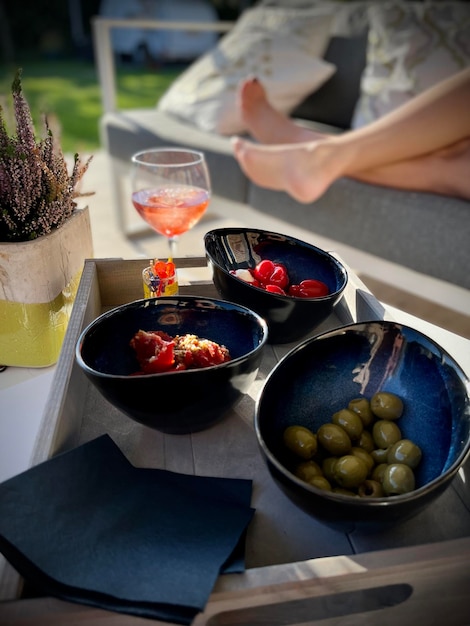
(322, 374)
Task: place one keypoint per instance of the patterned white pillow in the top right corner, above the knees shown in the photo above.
(412, 46)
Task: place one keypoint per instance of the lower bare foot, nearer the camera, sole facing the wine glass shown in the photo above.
(304, 170)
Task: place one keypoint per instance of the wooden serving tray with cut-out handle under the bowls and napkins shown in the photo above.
(299, 571)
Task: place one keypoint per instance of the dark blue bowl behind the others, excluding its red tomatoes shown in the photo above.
(288, 318)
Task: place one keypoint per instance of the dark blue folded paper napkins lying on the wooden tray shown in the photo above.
(89, 527)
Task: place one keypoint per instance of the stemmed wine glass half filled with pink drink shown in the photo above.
(170, 190)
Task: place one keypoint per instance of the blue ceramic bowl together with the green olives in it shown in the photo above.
(369, 423)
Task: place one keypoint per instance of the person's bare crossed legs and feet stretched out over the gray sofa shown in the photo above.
(399, 139)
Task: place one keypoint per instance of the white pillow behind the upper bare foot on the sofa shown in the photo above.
(282, 47)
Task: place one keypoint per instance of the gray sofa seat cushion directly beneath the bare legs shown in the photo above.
(425, 232)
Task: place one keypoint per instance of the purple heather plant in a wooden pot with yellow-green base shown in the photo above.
(44, 239)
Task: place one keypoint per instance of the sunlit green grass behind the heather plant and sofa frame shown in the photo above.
(68, 91)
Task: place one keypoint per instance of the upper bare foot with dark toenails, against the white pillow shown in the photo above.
(264, 122)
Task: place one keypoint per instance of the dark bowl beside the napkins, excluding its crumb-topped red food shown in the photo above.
(179, 401)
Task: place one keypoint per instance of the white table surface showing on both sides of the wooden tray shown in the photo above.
(24, 393)
